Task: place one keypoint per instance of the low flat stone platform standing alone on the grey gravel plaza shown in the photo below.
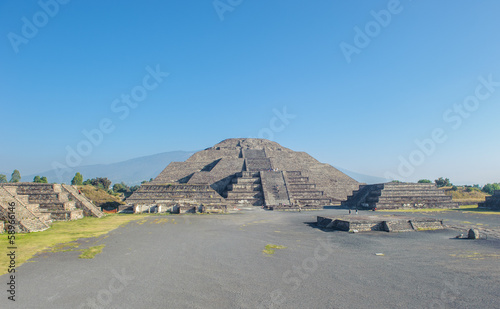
(362, 223)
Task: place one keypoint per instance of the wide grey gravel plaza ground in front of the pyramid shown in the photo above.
(217, 261)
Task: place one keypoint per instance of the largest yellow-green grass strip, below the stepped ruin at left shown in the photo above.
(61, 233)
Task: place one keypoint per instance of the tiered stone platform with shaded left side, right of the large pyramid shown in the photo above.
(397, 195)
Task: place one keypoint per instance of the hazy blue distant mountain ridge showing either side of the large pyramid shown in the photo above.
(133, 171)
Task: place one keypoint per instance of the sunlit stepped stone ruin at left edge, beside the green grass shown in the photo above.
(37, 205)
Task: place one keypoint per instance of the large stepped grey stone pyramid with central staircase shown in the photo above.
(243, 172)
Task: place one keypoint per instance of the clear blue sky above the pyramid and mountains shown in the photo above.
(232, 67)
